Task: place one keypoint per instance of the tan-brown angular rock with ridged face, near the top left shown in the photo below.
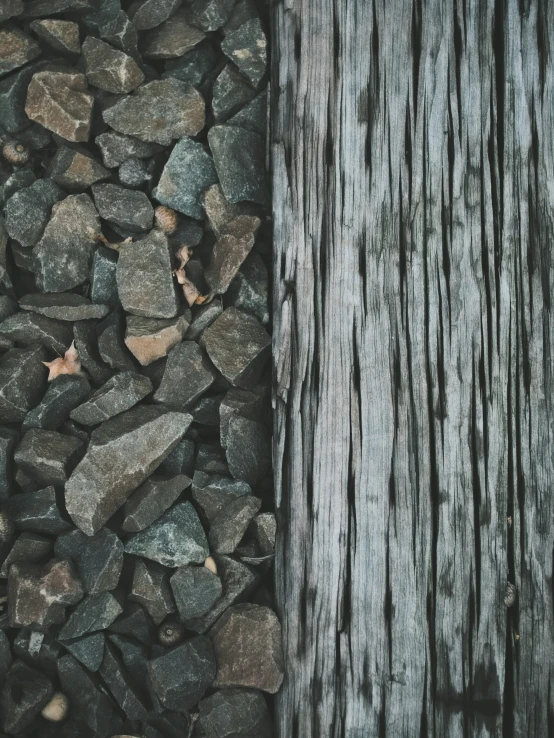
(59, 101)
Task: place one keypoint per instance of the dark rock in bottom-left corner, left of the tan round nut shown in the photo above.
(25, 692)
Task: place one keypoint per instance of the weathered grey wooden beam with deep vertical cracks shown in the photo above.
(413, 172)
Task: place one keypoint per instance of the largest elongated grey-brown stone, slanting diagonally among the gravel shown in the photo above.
(122, 453)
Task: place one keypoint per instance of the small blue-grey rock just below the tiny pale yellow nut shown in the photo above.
(196, 590)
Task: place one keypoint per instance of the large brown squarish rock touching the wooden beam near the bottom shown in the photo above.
(247, 644)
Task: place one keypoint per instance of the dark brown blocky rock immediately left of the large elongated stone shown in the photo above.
(47, 456)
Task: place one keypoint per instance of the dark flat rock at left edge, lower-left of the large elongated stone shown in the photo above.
(37, 511)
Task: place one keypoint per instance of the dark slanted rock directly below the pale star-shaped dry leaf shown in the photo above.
(64, 393)
